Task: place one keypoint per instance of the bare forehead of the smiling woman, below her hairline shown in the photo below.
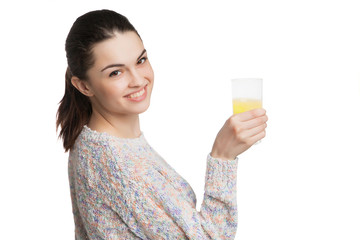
(123, 48)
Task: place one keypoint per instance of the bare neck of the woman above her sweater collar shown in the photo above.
(123, 126)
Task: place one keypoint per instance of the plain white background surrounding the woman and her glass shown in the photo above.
(301, 182)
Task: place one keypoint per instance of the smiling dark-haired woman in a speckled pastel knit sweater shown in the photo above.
(120, 187)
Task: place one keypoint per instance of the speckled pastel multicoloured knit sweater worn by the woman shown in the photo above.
(121, 188)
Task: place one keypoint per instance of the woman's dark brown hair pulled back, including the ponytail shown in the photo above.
(75, 108)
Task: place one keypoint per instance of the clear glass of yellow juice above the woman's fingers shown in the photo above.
(246, 94)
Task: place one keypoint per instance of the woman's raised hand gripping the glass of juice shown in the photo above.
(239, 133)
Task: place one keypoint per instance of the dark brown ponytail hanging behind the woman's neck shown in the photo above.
(73, 113)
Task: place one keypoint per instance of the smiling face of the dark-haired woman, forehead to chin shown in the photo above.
(121, 78)
